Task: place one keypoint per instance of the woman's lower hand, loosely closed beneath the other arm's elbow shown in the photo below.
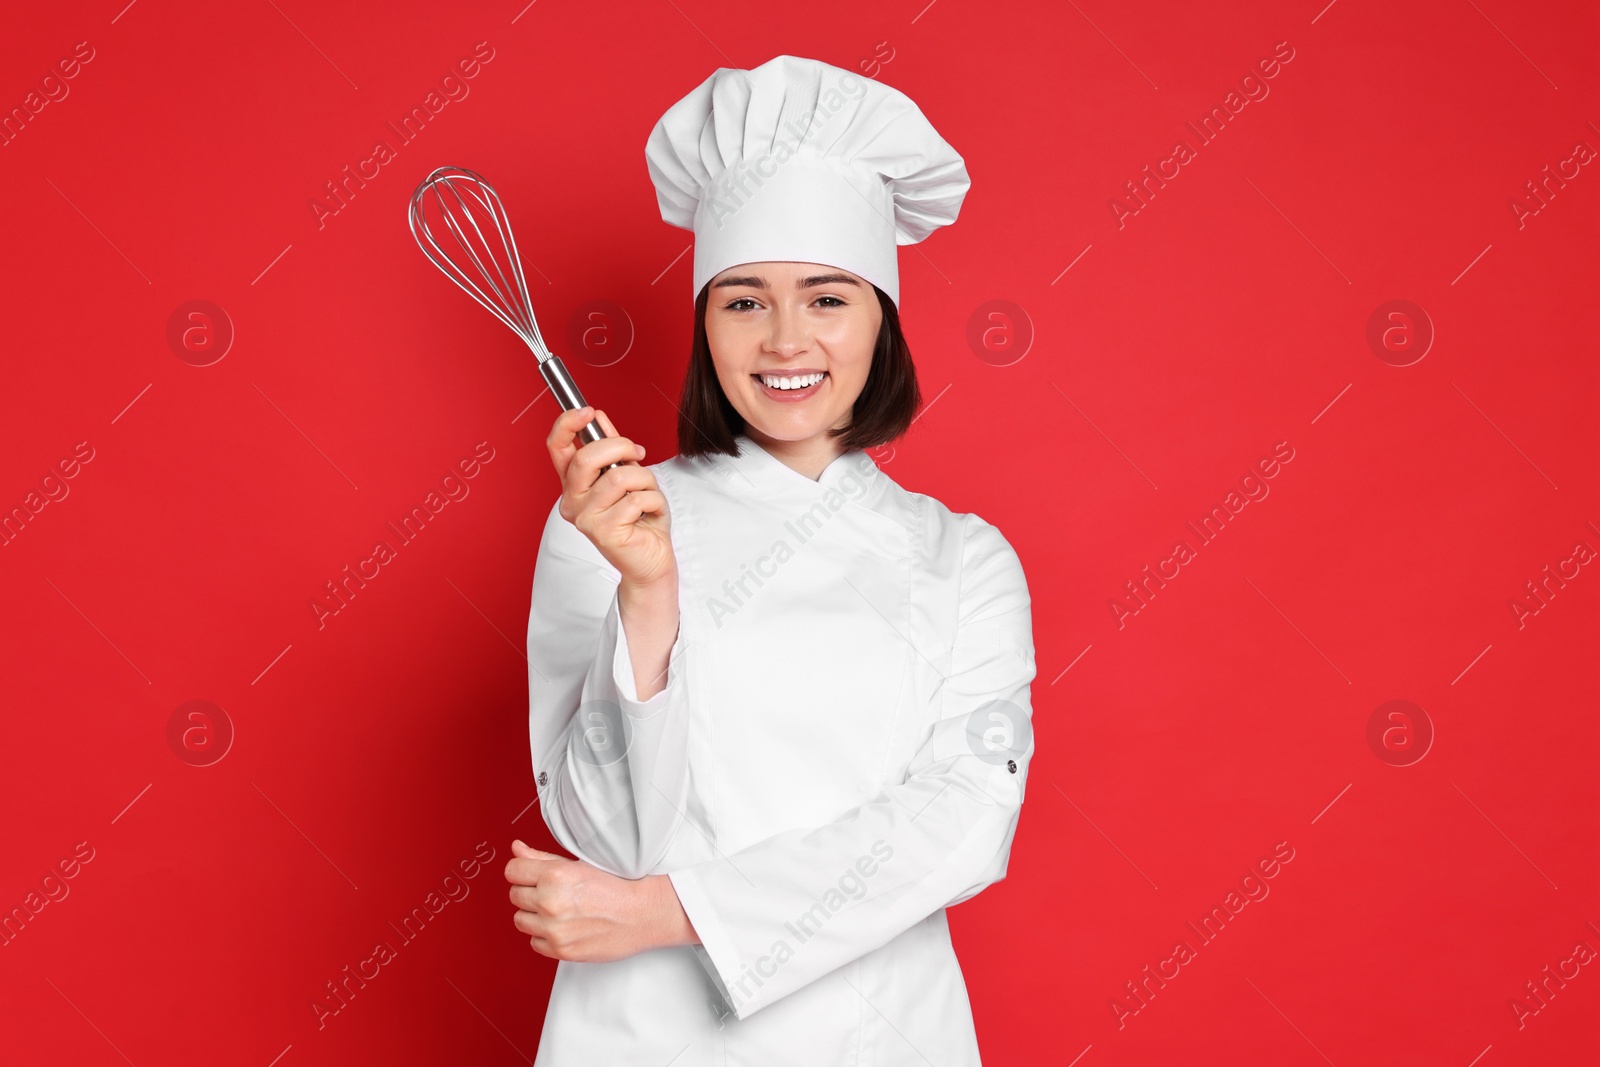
(575, 911)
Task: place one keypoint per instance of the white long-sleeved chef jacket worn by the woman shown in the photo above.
(839, 756)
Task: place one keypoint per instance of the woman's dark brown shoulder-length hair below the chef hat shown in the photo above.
(884, 412)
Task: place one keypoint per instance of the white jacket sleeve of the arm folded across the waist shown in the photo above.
(790, 909)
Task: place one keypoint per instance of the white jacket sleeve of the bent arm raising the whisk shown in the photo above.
(610, 769)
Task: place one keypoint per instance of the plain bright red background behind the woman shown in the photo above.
(1175, 749)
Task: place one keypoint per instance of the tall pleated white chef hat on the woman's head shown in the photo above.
(801, 161)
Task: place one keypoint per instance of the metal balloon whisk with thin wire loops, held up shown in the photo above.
(462, 226)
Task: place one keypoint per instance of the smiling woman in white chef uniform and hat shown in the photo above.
(780, 705)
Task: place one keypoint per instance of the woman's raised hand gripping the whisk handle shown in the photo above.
(622, 511)
